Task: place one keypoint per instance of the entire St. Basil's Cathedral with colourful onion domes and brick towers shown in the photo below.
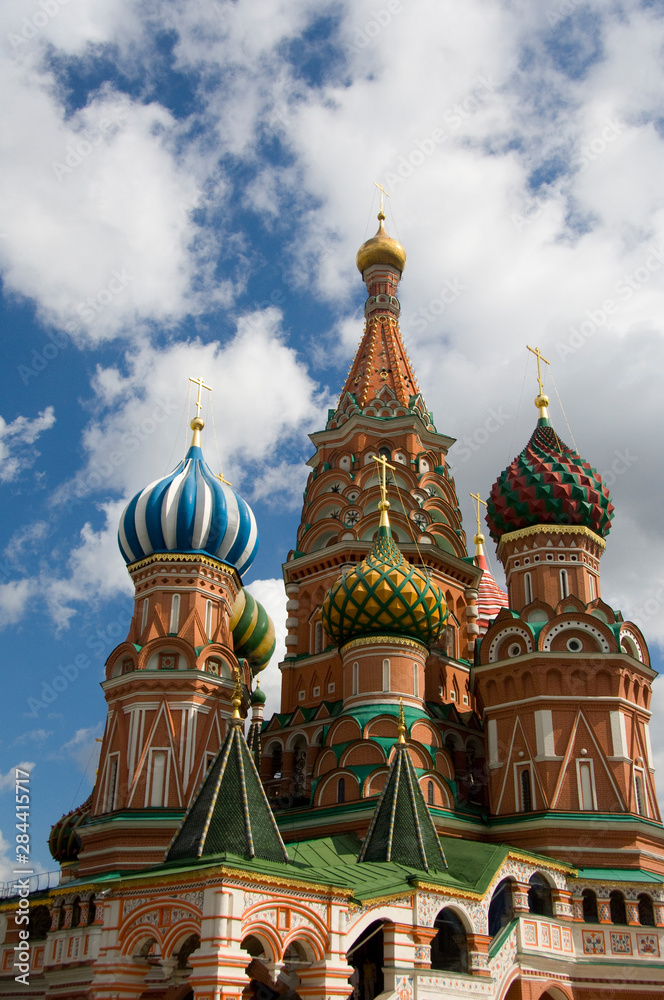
(457, 796)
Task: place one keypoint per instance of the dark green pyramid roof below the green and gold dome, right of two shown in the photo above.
(401, 828)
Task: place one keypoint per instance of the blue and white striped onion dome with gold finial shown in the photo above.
(191, 511)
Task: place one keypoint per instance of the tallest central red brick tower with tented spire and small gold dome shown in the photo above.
(380, 414)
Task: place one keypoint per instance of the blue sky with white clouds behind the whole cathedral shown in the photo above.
(185, 187)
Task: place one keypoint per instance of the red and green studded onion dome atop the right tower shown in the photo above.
(548, 483)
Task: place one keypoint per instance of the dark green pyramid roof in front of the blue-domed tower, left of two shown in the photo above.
(230, 813)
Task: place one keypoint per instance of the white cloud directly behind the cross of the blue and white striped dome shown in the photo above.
(262, 400)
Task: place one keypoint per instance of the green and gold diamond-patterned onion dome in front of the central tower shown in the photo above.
(384, 595)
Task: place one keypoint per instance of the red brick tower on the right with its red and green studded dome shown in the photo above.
(563, 681)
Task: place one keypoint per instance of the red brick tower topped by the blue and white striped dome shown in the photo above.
(186, 539)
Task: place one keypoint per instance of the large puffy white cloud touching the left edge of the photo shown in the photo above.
(98, 212)
